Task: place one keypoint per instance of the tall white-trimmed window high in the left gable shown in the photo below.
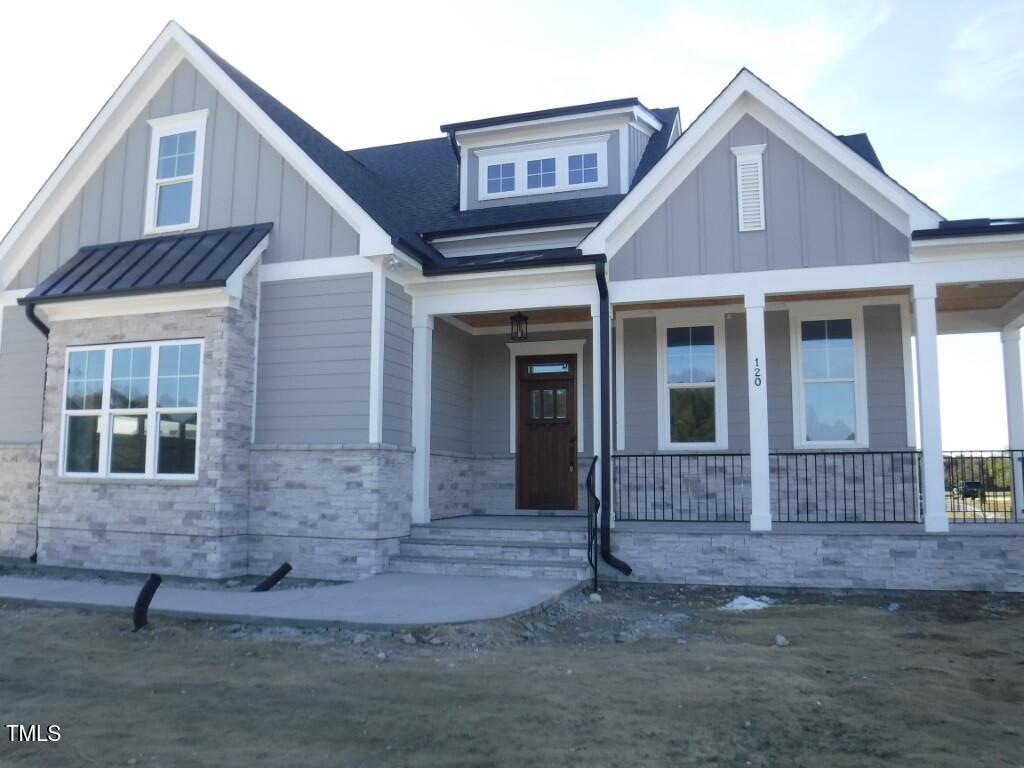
(176, 181)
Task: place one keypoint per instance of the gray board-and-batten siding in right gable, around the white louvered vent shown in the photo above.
(812, 221)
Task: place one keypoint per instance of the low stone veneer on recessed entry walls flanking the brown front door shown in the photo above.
(482, 484)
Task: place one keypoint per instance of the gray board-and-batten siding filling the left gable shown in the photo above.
(245, 182)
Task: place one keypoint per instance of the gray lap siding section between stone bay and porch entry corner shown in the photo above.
(314, 362)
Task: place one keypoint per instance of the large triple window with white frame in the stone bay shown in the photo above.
(133, 410)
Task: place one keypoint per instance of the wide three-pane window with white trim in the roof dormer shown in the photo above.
(563, 165)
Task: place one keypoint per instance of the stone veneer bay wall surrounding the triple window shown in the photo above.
(195, 528)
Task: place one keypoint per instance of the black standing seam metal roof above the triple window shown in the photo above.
(170, 263)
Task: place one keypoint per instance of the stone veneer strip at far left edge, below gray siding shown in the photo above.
(19, 491)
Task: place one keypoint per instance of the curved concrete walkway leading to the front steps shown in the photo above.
(404, 600)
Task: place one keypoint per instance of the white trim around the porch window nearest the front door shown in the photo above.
(690, 319)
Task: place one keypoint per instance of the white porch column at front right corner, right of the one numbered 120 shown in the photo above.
(933, 475)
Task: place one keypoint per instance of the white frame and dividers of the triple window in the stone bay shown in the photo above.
(106, 414)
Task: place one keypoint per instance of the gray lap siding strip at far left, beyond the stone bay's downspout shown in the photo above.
(23, 355)
